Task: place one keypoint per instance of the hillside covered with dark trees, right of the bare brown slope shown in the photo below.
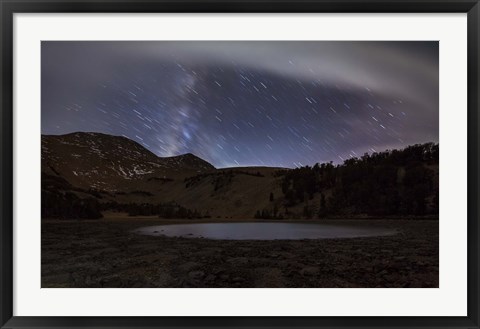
(392, 183)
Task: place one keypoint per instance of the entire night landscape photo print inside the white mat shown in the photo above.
(240, 164)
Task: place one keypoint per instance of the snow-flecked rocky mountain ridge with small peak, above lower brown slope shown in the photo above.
(105, 162)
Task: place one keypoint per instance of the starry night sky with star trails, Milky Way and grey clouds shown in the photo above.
(245, 103)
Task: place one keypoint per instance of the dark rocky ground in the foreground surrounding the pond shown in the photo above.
(106, 253)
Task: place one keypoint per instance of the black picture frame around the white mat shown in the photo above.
(10, 7)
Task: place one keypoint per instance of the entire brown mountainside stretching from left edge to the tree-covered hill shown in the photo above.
(116, 170)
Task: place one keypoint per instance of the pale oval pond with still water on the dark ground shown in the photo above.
(263, 231)
